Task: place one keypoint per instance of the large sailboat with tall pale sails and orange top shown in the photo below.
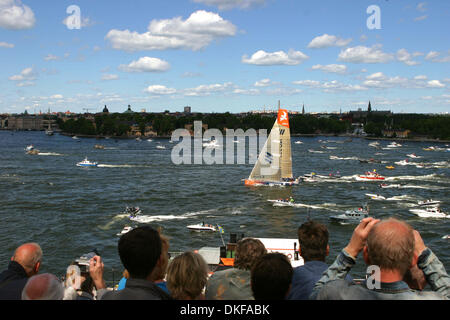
(274, 165)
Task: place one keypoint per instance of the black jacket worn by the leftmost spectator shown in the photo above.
(12, 282)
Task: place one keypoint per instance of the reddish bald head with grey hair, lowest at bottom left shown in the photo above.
(43, 287)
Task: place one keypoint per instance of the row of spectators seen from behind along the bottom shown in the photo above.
(406, 269)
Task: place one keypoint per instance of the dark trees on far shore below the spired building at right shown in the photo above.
(431, 126)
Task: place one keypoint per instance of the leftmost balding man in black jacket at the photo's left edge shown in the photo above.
(24, 264)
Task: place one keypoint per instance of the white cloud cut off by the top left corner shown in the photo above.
(15, 16)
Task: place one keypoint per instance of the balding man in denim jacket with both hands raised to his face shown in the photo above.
(393, 247)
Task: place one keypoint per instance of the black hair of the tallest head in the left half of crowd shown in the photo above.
(139, 251)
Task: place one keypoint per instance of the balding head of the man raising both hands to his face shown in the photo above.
(390, 245)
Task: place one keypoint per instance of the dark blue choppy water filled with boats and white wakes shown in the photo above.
(69, 210)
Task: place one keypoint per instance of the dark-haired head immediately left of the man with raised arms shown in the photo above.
(313, 240)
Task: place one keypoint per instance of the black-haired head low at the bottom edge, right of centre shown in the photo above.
(271, 277)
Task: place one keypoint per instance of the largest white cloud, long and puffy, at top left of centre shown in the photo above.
(194, 33)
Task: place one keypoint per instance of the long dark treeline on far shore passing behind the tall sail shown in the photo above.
(119, 124)
